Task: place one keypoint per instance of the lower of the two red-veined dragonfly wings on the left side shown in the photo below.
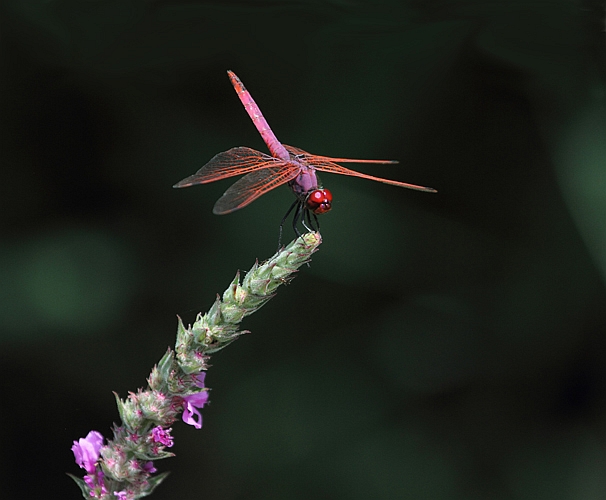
(251, 186)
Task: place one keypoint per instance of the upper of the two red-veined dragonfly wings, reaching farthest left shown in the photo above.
(235, 161)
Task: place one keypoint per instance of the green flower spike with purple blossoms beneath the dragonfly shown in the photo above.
(124, 467)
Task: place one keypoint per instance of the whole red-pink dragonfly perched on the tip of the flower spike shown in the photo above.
(286, 165)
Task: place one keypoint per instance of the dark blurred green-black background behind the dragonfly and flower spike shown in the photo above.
(440, 346)
